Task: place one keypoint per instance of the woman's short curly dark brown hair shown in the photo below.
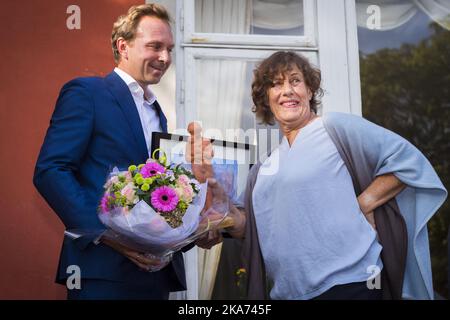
(278, 63)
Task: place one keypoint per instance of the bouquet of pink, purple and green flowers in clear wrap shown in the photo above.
(156, 208)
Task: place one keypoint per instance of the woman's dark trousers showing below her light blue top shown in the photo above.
(351, 291)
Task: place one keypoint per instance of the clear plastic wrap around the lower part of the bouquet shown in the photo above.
(144, 230)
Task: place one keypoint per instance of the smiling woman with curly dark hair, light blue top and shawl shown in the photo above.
(339, 209)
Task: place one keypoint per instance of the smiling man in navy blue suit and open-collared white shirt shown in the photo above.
(100, 123)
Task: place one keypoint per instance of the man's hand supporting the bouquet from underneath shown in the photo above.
(141, 260)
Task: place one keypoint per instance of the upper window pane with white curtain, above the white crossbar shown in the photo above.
(268, 17)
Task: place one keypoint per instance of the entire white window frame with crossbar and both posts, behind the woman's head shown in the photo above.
(330, 41)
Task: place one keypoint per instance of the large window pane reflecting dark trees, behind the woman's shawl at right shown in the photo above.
(404, 62)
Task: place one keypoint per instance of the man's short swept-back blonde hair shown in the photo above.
(126, 25)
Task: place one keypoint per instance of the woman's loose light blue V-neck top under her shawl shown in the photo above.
(311, 231)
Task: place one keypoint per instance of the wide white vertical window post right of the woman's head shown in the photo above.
(338, 56)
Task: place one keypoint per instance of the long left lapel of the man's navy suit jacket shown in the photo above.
(121, 92)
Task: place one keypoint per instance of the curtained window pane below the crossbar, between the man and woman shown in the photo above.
(223, 103)
